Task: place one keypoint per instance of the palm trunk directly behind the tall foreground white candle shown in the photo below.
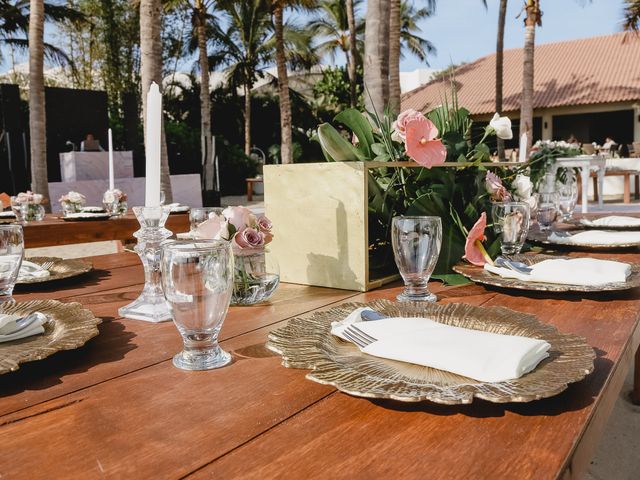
(151, 71)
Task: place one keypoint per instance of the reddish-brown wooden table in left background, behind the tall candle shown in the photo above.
(54, 231)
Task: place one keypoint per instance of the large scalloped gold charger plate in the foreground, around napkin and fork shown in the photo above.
(306, 342)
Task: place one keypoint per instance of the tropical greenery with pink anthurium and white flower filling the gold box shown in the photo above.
(456, 194)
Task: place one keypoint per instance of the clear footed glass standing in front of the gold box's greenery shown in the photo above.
(416, 245)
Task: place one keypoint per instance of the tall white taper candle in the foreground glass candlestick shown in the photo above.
(152, 146)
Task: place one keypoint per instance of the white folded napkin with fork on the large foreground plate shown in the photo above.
(483, 356)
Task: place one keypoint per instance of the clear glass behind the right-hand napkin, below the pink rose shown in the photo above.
(511, 223)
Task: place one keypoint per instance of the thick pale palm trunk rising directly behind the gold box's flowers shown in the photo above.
(376, 55)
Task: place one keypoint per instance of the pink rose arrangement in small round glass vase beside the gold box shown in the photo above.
(255, 280)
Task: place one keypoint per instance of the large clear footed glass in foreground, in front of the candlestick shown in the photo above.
(197, 279)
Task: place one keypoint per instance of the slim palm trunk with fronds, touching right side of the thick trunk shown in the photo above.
(404, 36)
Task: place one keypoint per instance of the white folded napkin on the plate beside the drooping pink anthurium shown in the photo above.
(574, 271)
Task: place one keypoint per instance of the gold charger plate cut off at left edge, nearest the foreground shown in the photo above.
(69, 327)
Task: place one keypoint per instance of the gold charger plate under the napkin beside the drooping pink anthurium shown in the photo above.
(480, 275)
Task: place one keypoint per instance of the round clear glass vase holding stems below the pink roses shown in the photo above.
(256, 276)
